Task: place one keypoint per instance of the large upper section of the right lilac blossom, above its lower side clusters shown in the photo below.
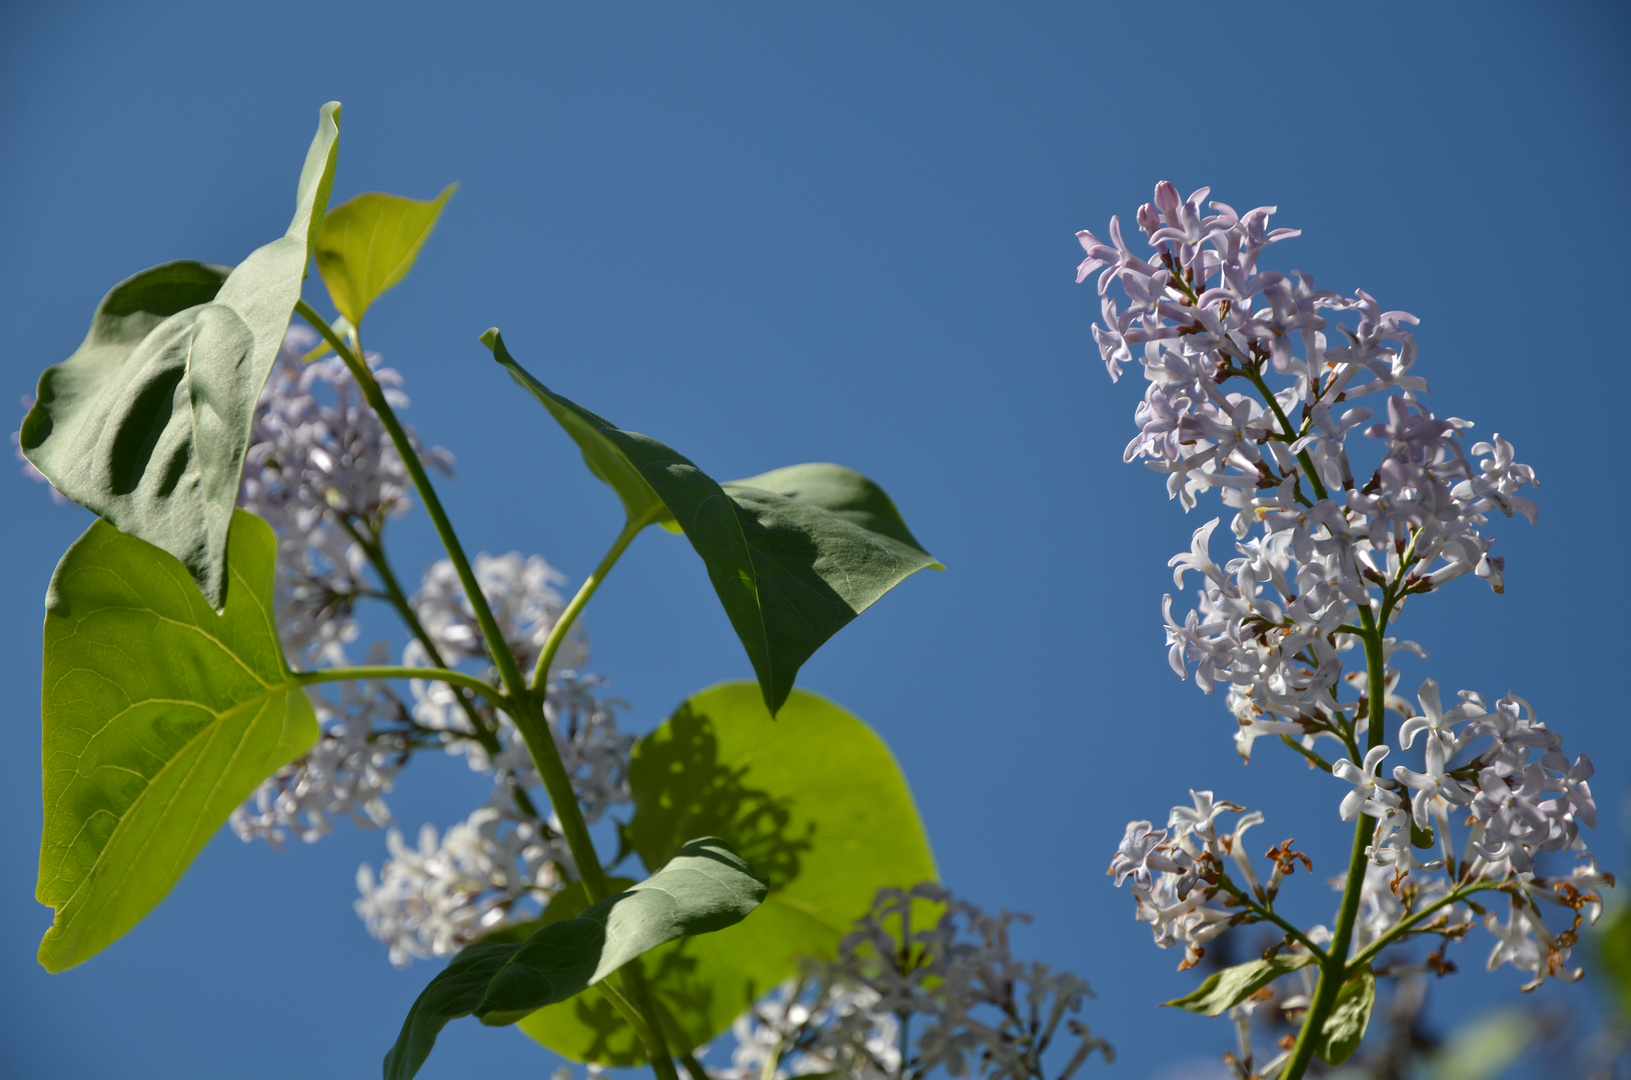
(1314, 544)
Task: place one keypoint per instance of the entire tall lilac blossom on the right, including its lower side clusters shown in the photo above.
(1252, 392)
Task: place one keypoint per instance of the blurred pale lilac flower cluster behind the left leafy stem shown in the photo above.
(324, 472)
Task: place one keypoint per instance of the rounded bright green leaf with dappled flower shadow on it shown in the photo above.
(813, 799)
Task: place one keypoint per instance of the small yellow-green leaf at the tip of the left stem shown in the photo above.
(369, 244)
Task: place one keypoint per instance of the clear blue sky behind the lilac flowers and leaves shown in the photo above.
(774, 234)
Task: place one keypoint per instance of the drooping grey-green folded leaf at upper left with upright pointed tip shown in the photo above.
(149, 422)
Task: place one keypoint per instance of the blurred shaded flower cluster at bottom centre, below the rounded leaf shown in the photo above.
(979, 1006)
